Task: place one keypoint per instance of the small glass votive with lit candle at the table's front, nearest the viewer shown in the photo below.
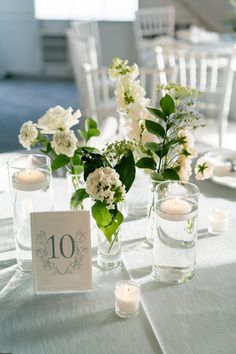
(127, 298)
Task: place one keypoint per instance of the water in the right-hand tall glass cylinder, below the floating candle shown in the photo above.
(175, 244)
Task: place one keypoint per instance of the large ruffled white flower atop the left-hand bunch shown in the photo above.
(57, 118)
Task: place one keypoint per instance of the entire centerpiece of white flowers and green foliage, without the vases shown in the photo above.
(159, 140)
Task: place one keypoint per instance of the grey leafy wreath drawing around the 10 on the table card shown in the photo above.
(48, 260)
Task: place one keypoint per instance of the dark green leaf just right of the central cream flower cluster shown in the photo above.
(126, 170)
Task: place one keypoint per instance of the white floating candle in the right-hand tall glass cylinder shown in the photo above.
(175, 209)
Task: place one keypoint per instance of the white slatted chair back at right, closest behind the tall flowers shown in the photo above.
(209, 71)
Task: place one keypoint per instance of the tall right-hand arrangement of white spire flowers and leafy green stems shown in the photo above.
(164, 135)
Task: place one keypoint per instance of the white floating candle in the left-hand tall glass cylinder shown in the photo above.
(29, 180)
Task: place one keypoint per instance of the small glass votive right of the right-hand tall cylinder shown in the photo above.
(217, 221)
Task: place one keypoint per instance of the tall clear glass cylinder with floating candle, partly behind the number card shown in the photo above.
(31, 185)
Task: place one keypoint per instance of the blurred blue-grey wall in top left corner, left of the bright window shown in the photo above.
(19, 41)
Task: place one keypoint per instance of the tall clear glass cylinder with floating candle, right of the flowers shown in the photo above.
(176, 210)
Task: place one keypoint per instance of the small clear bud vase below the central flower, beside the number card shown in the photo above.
(109, 253)
